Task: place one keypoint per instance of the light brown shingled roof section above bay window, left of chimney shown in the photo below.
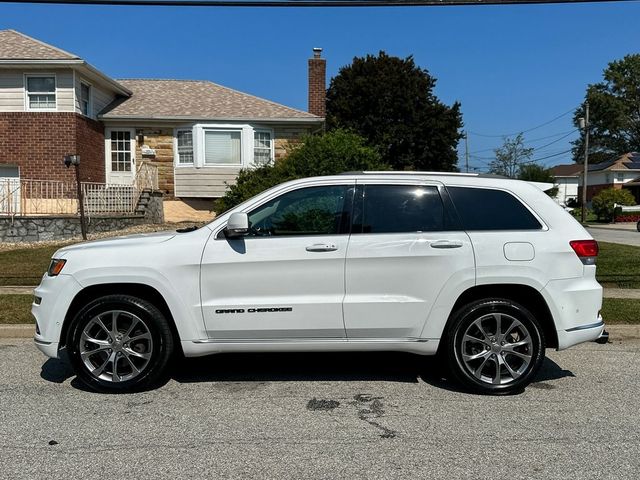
(194, 99)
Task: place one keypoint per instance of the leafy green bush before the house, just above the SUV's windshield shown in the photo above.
(329, 154)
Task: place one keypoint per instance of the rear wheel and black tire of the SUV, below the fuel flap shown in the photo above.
(476, 364)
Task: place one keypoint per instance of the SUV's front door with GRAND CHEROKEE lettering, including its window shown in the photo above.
(285, 278)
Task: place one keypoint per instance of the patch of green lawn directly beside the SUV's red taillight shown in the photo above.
(618, 265)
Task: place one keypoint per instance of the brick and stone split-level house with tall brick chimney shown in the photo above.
(199, 134)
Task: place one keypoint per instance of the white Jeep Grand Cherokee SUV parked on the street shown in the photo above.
(485, 271)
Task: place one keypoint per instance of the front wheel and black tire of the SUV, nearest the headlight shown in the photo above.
(133, 359)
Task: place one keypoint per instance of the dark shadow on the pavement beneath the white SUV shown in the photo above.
(309, 367)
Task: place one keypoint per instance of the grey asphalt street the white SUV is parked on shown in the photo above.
(382, 415)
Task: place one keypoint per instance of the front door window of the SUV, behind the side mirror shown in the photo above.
(308, 211)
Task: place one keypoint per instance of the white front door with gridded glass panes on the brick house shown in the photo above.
(120, 152)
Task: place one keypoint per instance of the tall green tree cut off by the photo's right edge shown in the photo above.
(614, 111)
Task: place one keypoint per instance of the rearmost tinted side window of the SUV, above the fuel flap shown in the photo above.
(485, 209)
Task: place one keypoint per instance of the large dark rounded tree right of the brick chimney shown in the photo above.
(390, 102)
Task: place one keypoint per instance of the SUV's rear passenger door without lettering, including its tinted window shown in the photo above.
(404, 249)
